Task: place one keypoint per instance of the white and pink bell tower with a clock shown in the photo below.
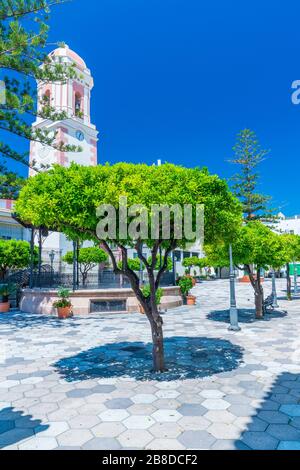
(74, 98)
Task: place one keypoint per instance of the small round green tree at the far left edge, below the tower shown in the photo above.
(14, 254)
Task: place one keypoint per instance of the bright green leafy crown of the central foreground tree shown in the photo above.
(67, 198)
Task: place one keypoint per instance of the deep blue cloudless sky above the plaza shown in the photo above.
(177, 79)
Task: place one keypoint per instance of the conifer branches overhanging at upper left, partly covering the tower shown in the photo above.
(23, 41)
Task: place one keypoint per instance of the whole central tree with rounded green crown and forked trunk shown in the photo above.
(66, 199)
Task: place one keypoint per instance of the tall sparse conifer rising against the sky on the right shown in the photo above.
(248, 154)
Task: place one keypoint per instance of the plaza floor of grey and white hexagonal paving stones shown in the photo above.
(86, 383)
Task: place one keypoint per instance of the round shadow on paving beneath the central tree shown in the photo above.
(186, 358)
